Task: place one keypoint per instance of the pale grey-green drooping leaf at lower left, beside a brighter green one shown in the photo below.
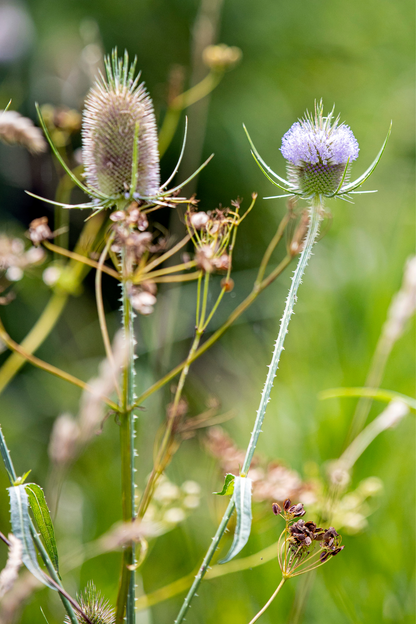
(20, 520)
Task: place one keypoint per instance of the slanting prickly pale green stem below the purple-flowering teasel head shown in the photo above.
(312, 233)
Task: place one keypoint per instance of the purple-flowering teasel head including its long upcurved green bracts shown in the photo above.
(319, 151)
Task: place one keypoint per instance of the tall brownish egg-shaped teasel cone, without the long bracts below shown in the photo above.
(119, 134)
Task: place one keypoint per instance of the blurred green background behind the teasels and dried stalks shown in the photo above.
(358, 55)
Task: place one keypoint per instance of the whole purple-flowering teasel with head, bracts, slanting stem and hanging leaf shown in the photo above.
(319, 151)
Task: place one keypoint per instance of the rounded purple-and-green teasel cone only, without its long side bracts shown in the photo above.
(319, 150)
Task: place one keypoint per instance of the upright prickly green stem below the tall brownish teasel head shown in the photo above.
(126, 594)
